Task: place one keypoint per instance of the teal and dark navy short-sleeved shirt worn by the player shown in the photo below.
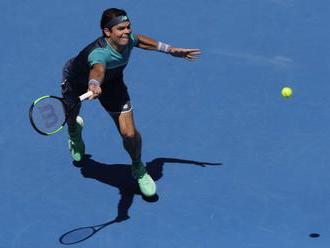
(99, 51)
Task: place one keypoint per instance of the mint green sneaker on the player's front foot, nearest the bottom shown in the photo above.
(146, 183)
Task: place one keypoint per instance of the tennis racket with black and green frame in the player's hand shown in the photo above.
(48, 114)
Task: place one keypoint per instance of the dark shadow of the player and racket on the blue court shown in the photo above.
(119, 176)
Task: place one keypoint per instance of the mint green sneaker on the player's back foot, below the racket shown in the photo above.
(76, 143)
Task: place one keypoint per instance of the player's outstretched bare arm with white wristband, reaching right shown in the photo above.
(148, 43)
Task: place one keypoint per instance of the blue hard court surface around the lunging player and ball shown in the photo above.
(272, 187)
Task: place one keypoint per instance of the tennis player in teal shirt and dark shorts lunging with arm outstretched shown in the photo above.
(99, 68)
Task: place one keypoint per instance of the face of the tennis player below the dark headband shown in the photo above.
(120, 33)
